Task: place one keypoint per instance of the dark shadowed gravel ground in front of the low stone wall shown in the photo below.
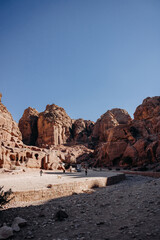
(128, 210)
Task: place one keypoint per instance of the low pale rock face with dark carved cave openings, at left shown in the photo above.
(19, 156)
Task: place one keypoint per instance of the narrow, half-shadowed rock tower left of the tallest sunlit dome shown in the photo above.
(28, 126)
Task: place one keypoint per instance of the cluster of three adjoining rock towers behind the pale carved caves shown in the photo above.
(53, 127)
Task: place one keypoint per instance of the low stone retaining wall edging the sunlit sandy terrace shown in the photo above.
(66, 189)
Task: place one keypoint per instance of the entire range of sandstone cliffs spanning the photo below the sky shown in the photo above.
(52, 137)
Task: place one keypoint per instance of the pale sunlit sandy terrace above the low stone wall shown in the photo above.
(31, 179)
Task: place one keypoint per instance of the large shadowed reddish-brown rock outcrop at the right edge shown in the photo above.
(135, 143)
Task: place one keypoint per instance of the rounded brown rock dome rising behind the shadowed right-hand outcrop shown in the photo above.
(110, 119)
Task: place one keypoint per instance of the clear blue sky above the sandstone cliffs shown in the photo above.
(87, 56)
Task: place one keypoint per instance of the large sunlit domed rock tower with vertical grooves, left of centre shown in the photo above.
(53, 126)
